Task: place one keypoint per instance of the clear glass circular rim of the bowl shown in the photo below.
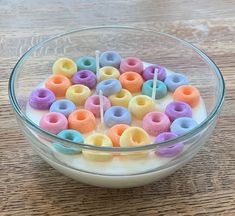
(19, 113)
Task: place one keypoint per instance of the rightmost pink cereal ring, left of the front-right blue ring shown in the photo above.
(155, 123)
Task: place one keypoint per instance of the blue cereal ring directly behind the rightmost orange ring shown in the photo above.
(174, 80)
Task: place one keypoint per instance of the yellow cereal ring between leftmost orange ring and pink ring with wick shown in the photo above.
(78, 94)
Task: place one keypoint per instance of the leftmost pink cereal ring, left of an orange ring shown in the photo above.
(53, 122)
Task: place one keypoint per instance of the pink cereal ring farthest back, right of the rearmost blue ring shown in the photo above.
(131, 64)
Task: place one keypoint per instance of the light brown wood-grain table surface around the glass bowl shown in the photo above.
(205, 186)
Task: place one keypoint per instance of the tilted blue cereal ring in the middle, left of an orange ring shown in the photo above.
(109, 87)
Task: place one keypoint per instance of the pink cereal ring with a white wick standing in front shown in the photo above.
(93, 104)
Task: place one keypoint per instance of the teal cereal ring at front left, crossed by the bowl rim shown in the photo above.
(70, 135)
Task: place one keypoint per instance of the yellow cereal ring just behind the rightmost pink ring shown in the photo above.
(140, 105)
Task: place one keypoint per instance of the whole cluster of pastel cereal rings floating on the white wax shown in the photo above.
(71, 104)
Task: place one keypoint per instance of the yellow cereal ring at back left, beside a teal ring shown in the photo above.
(64, 66)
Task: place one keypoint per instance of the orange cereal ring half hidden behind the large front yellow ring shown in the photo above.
(115, 132)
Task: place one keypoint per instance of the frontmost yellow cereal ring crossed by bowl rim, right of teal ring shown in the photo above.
(98, 139)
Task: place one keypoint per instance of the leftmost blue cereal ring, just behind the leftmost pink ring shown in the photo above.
(63, 106)
